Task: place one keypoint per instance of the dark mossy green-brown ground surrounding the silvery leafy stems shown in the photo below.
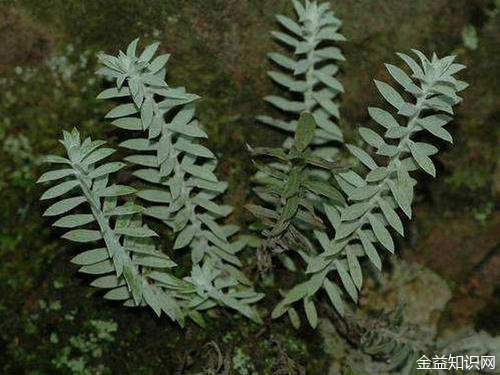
(52, 322)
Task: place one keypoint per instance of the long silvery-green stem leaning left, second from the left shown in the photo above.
(182, 187)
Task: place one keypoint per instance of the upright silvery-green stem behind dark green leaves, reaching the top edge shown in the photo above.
(309, 78)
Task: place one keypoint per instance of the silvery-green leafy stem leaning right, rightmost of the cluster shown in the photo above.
(363, 227)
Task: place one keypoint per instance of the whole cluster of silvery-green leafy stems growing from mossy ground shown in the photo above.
(302, 208)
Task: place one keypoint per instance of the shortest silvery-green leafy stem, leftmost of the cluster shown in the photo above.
(122, 254)
